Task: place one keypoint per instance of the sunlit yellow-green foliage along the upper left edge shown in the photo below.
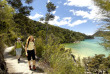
(6, 16)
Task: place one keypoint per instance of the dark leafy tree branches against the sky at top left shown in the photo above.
(20, 9)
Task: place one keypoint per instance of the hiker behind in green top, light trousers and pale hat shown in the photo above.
(18, 48)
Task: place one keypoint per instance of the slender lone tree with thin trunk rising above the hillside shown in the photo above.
(50, 7)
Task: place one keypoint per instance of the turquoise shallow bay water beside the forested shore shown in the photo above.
(88, 47)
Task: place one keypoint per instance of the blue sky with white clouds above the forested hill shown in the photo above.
(76, 15)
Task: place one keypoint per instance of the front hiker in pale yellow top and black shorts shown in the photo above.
(30, 51)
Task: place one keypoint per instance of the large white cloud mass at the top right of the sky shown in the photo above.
(93, 12)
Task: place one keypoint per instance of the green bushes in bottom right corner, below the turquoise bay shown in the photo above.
(96, 64)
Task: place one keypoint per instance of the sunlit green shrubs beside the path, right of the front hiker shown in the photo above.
(56, 57)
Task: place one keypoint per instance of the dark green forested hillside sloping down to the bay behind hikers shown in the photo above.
(23, 28)
